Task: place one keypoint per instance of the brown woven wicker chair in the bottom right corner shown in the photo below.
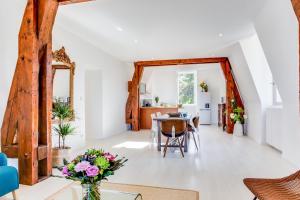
(287, 188)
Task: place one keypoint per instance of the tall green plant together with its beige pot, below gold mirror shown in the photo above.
(62, 113)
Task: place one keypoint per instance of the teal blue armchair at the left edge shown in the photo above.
(9, 178)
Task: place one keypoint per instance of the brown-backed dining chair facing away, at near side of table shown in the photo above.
(177, 136)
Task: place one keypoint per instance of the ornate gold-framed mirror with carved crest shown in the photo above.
(63, 78)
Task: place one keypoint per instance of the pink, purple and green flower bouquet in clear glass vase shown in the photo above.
(90, 169)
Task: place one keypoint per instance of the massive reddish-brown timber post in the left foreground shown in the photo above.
(26, 128)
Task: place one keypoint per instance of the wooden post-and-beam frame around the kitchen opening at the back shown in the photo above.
(132, 106)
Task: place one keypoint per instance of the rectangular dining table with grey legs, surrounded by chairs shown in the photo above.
(161, 118)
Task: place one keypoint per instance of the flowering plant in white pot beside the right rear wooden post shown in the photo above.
(238, 117)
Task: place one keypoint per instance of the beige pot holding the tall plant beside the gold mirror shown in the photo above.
(58, 156)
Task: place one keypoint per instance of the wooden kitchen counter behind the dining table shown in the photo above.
(145, 114)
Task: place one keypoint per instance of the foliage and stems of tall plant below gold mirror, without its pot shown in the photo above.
(63, 113)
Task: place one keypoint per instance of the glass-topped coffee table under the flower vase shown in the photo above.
(74, 192)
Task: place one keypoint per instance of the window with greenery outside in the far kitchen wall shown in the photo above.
(187, 88)
